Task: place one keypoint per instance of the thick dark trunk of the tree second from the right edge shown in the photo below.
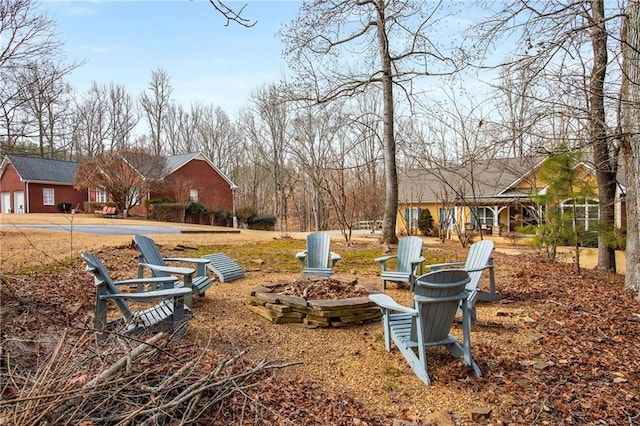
(604, 163)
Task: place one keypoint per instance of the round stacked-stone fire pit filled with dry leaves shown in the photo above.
(316, 302)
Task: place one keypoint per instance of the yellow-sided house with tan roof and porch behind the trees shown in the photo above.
(490, 195)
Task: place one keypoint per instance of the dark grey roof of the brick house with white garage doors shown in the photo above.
(46, 170)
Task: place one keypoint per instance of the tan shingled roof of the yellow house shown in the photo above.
(478, 179)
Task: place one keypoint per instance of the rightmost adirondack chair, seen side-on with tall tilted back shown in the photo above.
(478, 260)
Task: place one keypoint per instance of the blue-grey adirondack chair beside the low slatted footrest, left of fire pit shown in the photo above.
(150, 257)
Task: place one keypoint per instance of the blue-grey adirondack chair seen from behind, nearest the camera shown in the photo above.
(428, 323)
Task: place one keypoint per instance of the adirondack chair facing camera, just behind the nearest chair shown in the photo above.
(409, 257)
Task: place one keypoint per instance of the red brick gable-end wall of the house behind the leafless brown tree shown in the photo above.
(213, 191)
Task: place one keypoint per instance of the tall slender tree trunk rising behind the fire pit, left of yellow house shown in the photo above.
(388, 138)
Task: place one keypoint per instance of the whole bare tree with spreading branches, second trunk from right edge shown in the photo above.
(564, 36)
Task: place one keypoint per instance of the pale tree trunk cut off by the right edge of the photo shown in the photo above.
(631, 141)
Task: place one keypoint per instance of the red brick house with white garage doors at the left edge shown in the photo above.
(37, 185)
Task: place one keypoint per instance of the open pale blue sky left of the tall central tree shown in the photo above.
(123, 41)
